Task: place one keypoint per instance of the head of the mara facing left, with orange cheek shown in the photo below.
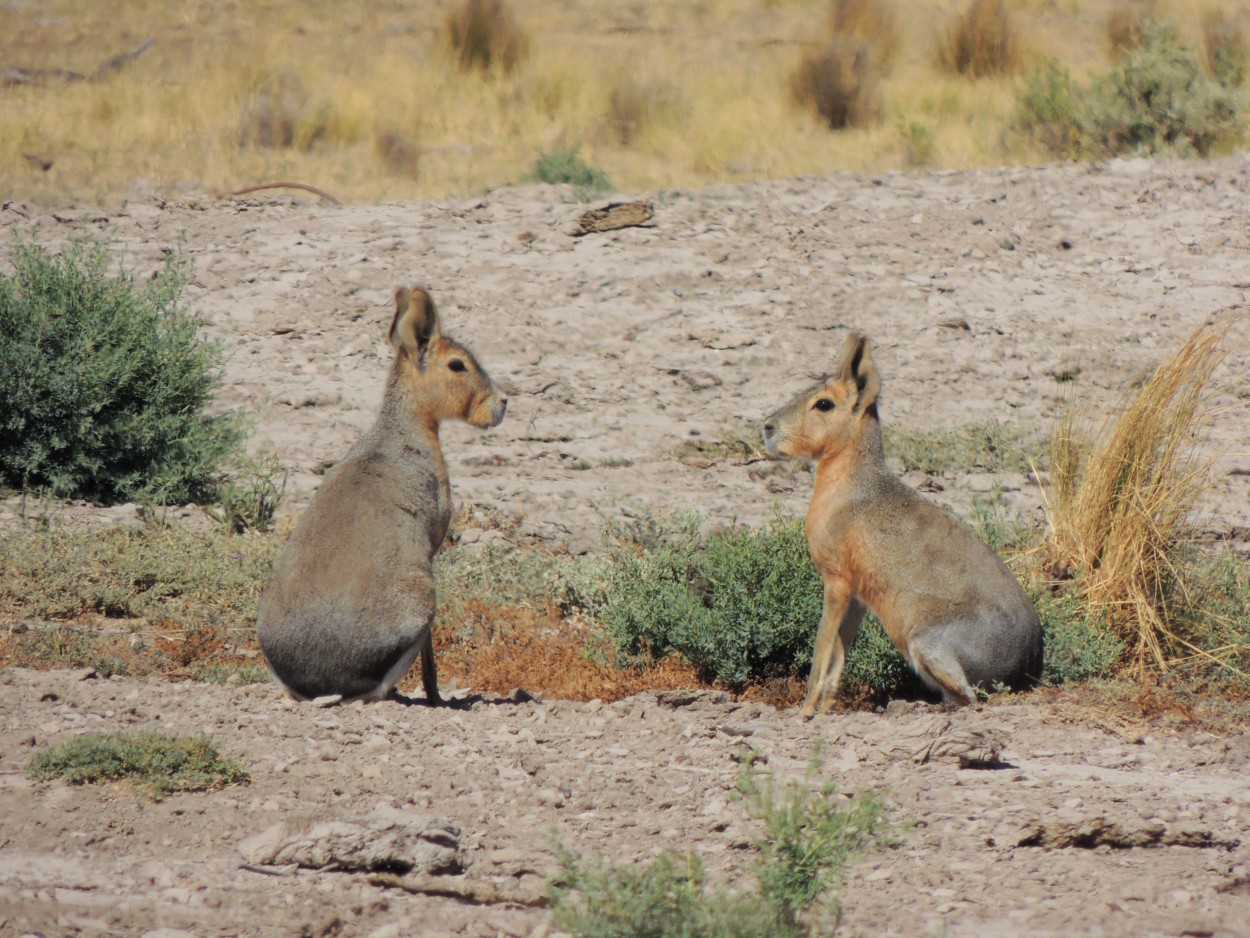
(829, 417)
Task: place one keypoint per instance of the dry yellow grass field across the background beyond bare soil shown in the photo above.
(367, 101)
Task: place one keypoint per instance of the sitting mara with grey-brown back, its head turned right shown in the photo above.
(351, 603)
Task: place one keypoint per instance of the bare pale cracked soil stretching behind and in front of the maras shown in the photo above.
(994, 296)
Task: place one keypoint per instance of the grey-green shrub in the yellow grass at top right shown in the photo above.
(1157, 101)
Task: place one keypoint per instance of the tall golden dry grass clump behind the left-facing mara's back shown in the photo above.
(1119, 502)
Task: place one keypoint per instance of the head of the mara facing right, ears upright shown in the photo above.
(443, 375)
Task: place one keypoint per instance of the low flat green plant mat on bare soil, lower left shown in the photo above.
(154, 764)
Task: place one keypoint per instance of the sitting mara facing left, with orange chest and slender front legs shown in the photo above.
(947, 601)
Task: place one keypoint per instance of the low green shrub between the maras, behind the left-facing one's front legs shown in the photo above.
(741, 606)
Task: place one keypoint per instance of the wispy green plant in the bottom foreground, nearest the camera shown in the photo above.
(811, 836)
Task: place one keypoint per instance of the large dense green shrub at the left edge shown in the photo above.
(106, 382)
